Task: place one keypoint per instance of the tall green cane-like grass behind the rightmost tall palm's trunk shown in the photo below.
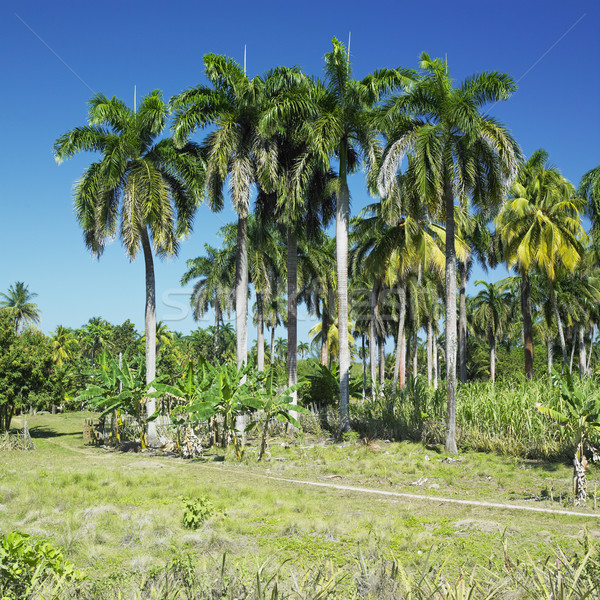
(499, 418)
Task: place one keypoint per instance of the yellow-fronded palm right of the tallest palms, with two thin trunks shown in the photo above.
(540, 227)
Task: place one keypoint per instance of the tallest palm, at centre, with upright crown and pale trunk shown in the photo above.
(345, 129)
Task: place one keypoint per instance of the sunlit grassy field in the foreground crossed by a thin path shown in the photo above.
(120, 514)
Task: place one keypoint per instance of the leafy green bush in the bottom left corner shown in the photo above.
(25, 562)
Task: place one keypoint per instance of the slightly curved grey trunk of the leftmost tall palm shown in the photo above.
(150, 331)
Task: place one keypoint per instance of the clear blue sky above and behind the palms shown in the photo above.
(552, 48)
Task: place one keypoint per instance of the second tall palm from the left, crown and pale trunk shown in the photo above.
(235, 150)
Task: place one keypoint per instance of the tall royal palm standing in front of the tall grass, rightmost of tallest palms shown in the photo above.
(456, 151)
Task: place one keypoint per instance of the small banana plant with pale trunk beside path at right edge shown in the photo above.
(581, 418)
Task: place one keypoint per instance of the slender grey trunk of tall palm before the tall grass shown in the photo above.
(451, 333)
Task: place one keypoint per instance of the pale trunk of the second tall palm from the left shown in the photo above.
(241, 292)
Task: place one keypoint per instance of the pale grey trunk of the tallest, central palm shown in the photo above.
(341, 246)
